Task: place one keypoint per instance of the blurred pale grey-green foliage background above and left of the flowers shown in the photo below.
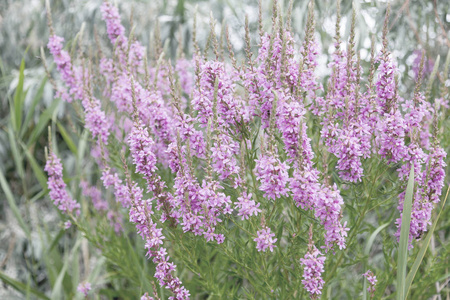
(415, 26)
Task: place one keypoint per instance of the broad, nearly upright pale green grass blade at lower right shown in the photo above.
(402, 260)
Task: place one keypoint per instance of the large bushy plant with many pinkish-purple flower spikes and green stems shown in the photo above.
(244, 179)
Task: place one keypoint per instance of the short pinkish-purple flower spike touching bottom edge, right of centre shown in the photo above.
(313, 264)
